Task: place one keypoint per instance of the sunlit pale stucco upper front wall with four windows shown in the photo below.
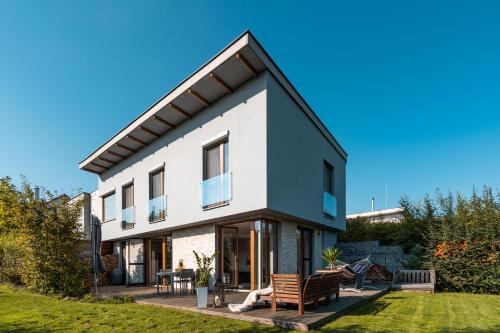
(243, 116)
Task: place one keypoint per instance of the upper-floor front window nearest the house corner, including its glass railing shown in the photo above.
(216, 185)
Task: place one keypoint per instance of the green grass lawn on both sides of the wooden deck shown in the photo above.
(22, 311)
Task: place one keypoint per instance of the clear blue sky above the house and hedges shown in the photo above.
(411, 89)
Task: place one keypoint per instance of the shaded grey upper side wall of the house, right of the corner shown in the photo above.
(296, 150)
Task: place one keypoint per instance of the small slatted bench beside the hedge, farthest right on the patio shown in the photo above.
(414, 280)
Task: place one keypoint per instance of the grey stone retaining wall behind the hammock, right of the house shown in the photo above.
(390, 257)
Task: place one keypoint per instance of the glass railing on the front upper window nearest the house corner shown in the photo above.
(216, 191)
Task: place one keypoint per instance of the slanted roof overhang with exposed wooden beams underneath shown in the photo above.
(238, 63)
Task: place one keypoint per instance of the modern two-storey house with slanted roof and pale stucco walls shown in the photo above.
(232, 161)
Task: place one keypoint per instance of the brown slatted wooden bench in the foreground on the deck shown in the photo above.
(289, 288)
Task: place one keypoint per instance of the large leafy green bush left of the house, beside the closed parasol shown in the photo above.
(52, 239)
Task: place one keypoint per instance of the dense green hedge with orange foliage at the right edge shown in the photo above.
(460, 239)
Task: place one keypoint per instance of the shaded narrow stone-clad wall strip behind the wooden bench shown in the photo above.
(287, 255)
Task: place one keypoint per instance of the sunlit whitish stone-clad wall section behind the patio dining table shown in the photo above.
(201, 239)
